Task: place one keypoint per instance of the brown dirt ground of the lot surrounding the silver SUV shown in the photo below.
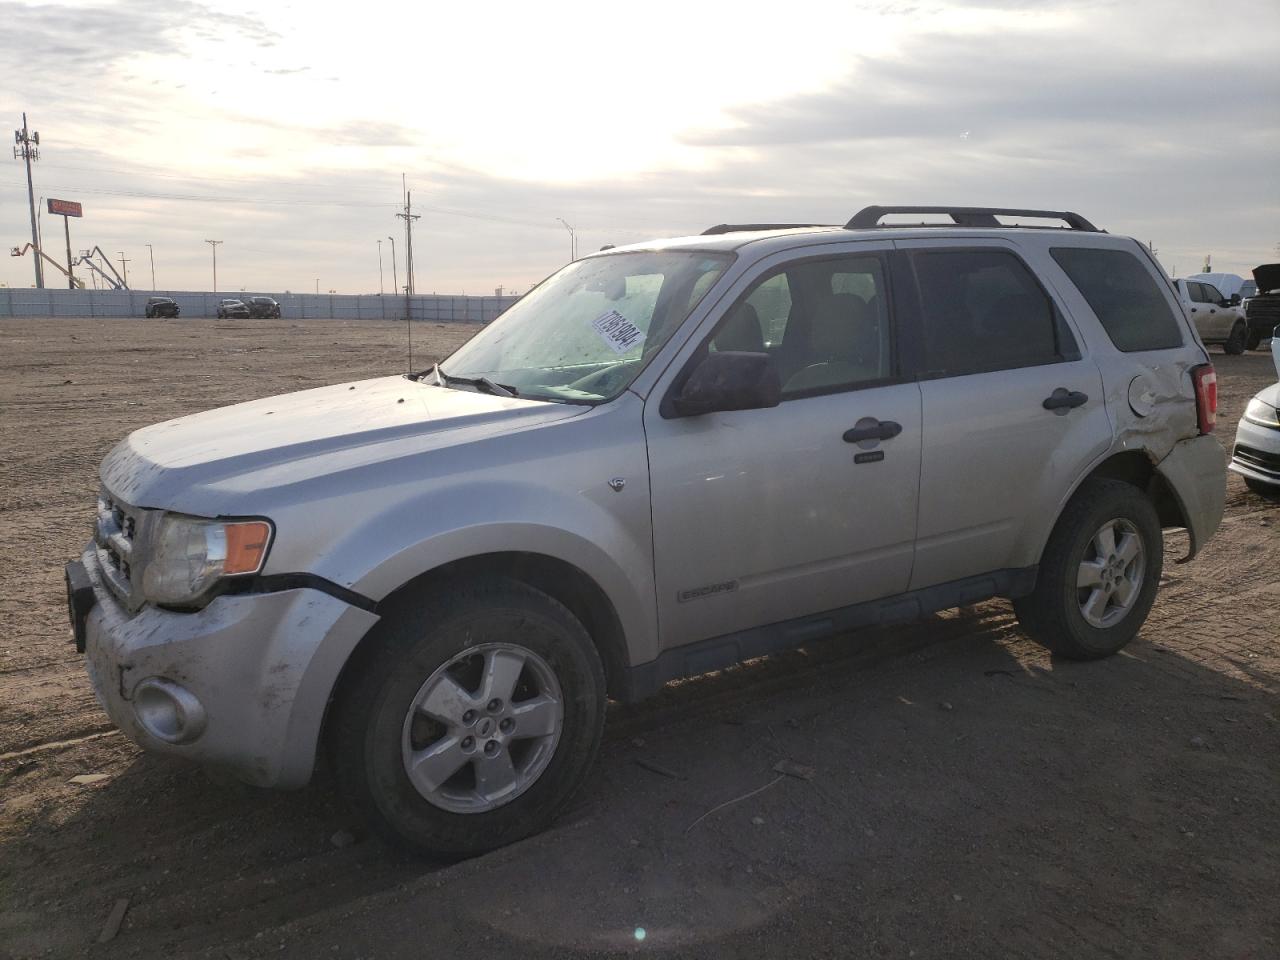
(972, 797)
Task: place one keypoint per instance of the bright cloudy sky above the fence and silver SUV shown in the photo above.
(284, 129)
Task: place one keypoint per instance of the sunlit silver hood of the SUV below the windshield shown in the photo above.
(296, 437)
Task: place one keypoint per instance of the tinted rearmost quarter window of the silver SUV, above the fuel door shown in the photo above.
(1124, 296)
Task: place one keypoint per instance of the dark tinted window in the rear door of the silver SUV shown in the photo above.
(984, 310)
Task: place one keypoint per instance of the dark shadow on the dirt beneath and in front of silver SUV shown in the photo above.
(953, 792)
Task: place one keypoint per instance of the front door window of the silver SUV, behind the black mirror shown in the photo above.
(824, 322)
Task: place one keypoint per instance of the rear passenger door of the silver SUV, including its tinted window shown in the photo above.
(1012, 412)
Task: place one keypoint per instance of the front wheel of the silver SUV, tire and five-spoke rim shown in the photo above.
(424, 653)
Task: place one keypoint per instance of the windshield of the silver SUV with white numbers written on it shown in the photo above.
(586, 333)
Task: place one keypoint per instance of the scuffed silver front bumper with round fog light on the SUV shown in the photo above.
(241, 685)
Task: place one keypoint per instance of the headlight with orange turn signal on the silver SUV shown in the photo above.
(190, 556)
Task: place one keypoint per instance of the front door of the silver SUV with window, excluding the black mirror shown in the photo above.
(766, 515)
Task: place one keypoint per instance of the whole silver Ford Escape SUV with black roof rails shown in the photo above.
(664, 460)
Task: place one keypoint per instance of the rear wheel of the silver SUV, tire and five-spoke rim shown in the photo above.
(1054, 614)
